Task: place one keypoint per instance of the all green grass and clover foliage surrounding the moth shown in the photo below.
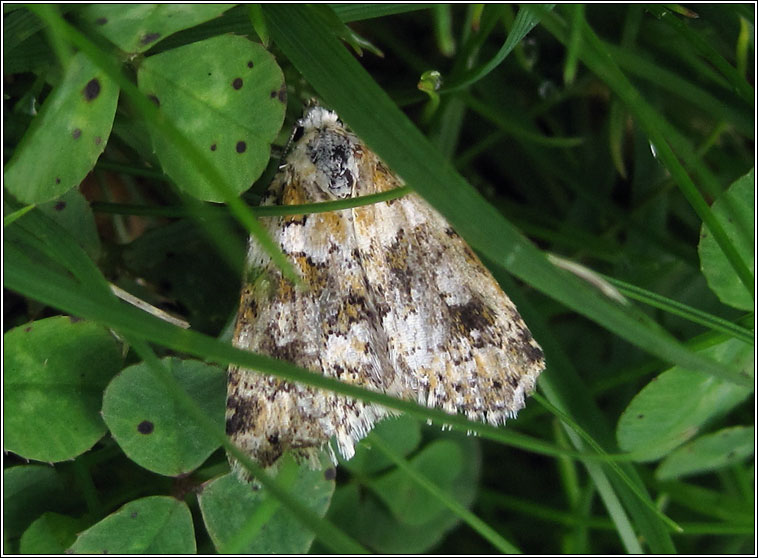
(614, 136)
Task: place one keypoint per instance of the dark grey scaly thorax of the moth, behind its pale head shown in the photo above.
(332, 155)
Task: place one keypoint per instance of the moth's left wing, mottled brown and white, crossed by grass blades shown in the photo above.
(328, 326)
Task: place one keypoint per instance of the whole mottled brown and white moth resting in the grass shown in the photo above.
(394, 301)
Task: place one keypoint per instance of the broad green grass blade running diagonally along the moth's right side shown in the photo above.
(344, 85)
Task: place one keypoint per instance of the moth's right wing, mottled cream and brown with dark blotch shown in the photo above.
(455, 338)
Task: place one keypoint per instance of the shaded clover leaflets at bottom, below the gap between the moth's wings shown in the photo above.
(386, 508)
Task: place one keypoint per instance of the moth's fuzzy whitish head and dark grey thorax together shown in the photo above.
(321, 141)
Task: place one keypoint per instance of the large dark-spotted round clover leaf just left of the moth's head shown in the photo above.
(226, 94)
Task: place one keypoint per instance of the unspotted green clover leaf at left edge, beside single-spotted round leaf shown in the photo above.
(55, 373)
